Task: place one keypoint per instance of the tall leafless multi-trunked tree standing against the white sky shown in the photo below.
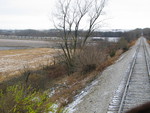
(73, 15)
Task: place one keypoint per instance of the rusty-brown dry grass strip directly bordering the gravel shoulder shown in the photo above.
(72, 85)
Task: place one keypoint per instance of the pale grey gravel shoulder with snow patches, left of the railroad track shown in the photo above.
(96, 97)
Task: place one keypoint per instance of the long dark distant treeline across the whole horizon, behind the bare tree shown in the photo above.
(131, 34)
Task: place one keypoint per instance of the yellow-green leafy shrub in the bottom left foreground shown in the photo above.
(18, 99)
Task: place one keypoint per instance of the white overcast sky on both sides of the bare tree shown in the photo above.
(35, 14)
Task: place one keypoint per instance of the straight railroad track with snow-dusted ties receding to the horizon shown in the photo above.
(134, 89)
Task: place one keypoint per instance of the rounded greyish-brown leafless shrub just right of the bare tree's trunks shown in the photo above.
(89, 58)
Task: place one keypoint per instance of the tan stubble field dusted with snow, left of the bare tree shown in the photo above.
(13, 62)
